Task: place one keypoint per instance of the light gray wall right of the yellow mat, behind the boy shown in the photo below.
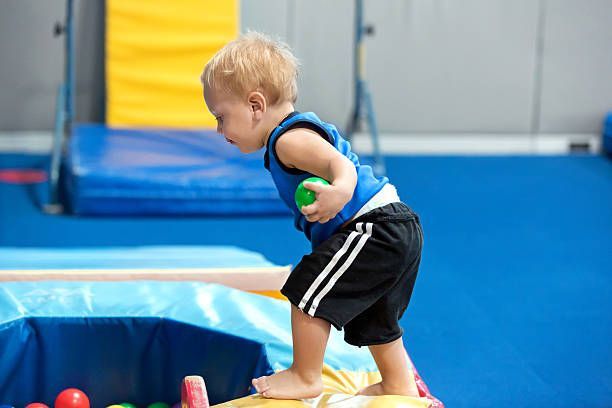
(443, 66)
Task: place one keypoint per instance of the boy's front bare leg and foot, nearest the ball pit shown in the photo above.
(303, 378)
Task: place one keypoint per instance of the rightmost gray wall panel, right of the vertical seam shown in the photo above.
(577, 68)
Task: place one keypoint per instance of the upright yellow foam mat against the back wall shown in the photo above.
(155, 52)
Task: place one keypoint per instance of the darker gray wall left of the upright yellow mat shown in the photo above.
(32, 62)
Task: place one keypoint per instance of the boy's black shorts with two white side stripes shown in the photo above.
(361, 278)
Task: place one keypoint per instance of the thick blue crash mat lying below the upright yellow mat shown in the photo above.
(157, 171)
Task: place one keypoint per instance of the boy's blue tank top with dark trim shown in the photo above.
(287, 179)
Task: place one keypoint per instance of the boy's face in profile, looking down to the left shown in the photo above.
(235, 120)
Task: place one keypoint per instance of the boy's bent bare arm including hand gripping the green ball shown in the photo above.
(306, 150)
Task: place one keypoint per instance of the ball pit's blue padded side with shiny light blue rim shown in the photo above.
(134, 341)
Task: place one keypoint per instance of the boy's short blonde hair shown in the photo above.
(252, 62)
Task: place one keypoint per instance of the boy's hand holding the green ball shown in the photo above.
(331, 200)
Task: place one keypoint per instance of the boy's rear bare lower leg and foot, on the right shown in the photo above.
(395, 370)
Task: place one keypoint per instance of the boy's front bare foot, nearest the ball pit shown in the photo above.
(287, 384)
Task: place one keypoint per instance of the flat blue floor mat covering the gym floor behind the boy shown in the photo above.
(512, 304)
